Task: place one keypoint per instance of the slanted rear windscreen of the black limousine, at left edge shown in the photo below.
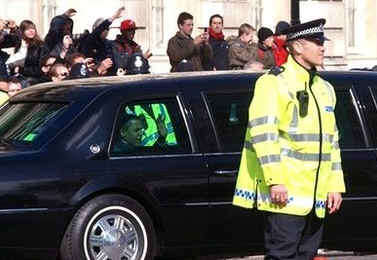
(24, 122)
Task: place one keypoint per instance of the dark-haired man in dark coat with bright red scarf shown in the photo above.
(219, 46)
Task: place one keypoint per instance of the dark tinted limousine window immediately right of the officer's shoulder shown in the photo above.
(350, 133)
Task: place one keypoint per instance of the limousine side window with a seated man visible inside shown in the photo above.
(149, 128)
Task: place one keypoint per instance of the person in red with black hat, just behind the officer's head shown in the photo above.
(280, 50)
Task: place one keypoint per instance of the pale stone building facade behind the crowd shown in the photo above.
(350, 24)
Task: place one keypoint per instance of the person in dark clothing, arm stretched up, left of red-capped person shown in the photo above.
(95, 45)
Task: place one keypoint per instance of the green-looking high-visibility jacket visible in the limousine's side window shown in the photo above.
(151, 133)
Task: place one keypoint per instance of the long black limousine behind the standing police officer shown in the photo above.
(85, 173)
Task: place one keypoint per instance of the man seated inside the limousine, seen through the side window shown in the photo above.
(130, 136)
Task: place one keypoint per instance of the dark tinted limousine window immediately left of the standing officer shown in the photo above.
(230, 116)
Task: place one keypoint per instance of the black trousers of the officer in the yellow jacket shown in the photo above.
(292, 237)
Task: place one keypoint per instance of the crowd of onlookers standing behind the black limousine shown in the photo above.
(61, 56)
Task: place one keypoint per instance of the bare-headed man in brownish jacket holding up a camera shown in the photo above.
(186, 53)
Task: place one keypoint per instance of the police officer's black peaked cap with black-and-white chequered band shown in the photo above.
(310, 30)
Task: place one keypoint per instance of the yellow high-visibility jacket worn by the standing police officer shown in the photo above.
(283, 147)
